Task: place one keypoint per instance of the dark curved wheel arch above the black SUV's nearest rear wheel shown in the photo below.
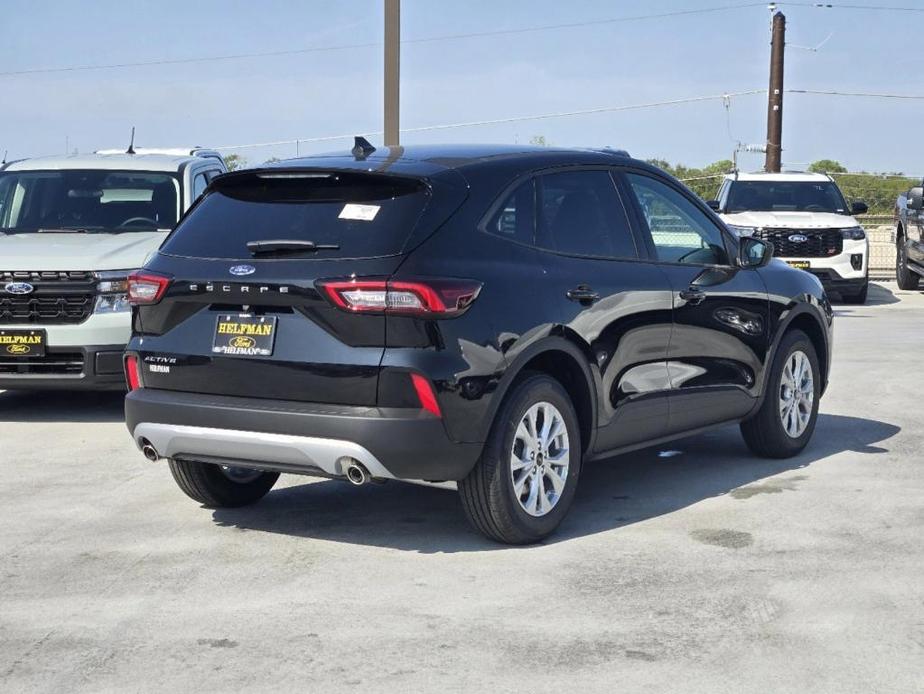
(566, 362)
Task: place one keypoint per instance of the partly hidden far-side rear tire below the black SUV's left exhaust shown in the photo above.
(210, 486)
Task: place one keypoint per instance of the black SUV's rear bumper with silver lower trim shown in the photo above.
(398, 443)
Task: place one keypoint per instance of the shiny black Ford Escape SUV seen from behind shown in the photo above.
(493, 316)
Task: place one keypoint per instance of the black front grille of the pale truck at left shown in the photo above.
(56, 298)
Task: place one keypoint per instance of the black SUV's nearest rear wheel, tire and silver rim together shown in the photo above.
(524, 483)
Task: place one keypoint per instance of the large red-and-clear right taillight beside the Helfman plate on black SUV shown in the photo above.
(432, 297)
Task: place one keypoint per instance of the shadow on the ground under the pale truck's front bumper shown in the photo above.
(61, 406)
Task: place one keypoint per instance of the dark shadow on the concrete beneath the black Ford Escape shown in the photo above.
(626, 489)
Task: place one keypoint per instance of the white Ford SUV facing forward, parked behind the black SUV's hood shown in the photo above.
(806, 218)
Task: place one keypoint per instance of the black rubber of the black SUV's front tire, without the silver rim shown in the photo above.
(764, 433)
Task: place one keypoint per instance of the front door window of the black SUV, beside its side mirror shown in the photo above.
(682, 233)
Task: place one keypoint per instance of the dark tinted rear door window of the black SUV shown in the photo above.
(580, 213)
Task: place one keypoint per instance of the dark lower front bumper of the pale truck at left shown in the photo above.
(97, 367)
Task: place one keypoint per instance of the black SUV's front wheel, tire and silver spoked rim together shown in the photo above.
(786, 420)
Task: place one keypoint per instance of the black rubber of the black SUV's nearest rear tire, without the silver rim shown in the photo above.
(487, 493)
